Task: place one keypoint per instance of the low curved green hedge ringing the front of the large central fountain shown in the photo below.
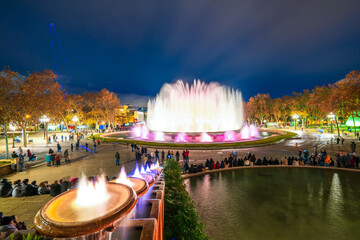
(260, 142)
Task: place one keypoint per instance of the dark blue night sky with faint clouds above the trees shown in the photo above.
(133, 47)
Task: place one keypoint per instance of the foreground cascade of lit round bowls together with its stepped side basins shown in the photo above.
(128, 207)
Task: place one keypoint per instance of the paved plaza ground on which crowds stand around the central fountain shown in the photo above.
(90, 164)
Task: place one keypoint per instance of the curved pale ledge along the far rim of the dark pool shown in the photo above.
(188, 175)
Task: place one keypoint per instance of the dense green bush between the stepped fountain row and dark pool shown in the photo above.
(181, 219)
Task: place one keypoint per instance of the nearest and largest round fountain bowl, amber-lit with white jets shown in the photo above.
(90, 208)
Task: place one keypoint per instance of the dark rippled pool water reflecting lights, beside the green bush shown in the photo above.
(278, 203)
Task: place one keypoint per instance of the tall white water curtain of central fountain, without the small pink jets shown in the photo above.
(195, 108)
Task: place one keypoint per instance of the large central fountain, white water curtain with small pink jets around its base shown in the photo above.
(197, 113)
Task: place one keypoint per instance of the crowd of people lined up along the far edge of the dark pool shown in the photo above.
(344, 160)
